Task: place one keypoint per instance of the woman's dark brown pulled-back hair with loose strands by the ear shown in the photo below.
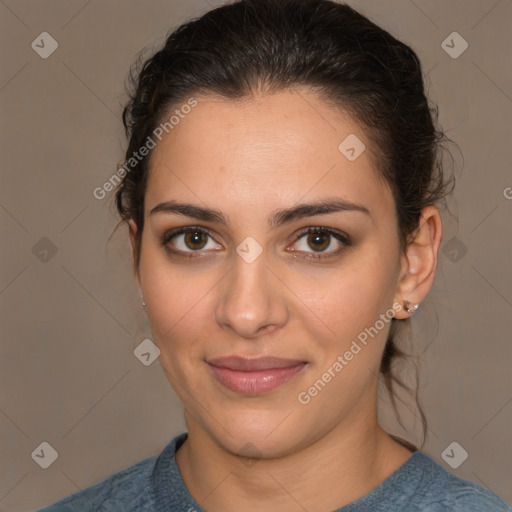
(250, 46)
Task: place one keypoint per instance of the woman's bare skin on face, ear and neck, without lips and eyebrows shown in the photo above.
(247, 160)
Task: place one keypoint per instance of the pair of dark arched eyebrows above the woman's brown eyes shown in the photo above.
(278, 217)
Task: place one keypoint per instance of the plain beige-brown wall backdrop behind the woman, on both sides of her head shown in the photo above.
(68, 375)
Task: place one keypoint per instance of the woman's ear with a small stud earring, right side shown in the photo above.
(418, 267)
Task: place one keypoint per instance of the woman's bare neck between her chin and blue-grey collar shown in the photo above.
(340, 466)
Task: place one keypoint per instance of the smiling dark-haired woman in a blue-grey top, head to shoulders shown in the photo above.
(280, 186)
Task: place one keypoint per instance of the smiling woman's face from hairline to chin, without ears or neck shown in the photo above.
(252, 282)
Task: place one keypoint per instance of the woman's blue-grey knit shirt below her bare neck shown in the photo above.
(155, 484)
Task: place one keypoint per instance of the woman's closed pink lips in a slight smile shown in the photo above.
(254, 376)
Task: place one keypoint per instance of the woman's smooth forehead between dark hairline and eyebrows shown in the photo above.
(275, 149)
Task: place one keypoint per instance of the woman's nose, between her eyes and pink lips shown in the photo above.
(252, 301)
